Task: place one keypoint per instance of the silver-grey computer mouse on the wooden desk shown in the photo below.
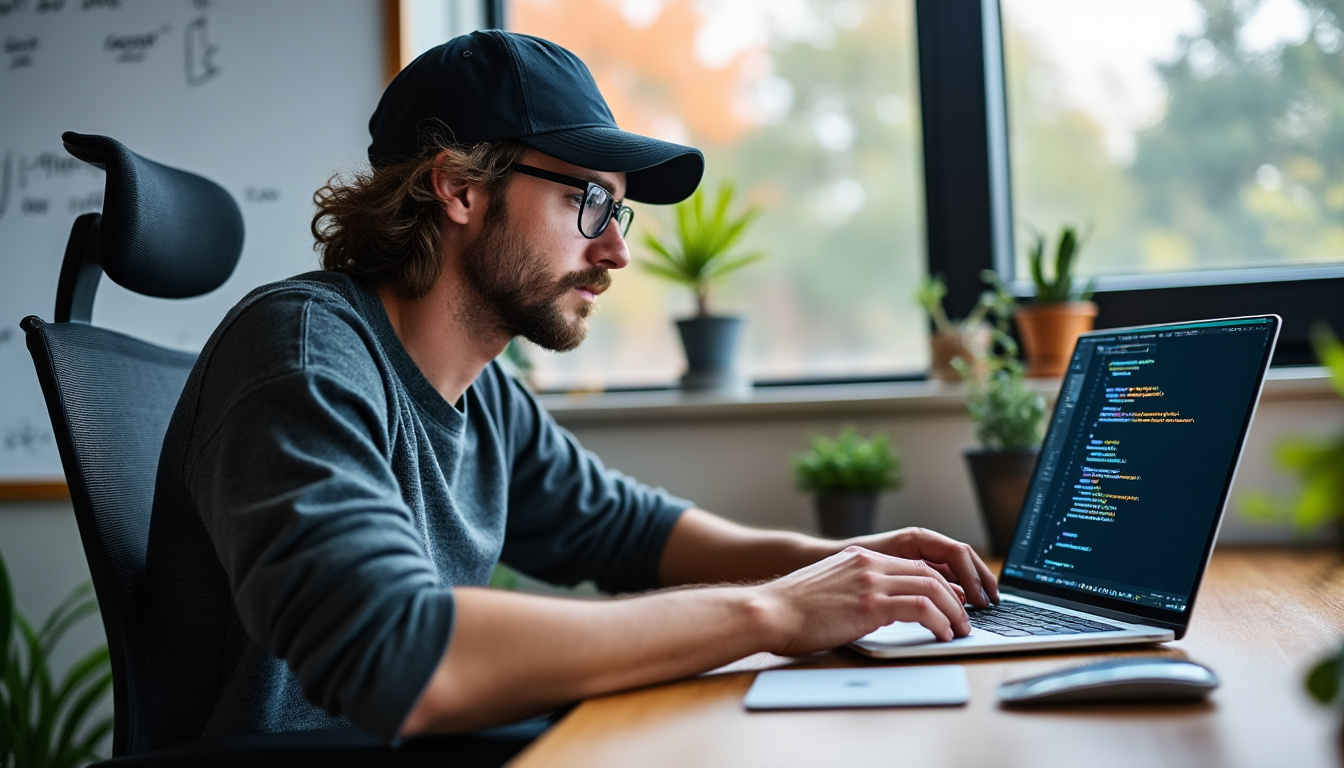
(1148, 679)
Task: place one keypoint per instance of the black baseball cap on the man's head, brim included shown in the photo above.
(493, 85)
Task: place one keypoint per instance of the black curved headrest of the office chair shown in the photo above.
(165, 232)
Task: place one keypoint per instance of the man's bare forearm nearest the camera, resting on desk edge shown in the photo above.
(515, 656)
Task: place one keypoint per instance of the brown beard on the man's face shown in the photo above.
(514, 291)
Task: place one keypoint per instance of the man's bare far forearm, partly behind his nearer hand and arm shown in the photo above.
(708, 549)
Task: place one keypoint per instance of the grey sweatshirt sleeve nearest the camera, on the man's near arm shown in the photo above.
(323, 559)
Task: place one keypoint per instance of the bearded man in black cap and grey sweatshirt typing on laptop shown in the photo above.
(349, 463)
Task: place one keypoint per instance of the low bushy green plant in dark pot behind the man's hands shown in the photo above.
(846, 475)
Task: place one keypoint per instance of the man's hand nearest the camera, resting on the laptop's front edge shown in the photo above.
(851, 594)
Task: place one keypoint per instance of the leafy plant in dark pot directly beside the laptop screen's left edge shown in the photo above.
(1009, 419)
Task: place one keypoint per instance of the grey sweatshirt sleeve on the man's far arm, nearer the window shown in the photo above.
(572, 519)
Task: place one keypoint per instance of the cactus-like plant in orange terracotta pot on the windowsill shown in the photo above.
(1061, 311)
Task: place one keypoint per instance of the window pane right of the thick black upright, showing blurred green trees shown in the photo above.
(1190, 137)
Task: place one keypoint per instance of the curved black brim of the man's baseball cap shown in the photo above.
(655, 171)
